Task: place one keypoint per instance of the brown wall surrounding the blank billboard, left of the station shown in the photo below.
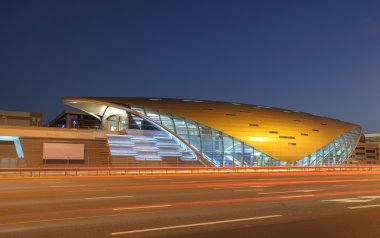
(33, 138)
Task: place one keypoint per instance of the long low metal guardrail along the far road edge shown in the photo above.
(101, 171)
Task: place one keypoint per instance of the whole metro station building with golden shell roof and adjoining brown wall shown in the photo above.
(159, 131)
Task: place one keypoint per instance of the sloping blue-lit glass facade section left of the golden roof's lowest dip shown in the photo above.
(216, 147)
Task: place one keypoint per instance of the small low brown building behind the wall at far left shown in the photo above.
(14, 118)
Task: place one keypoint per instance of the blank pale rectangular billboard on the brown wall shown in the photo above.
(63, 151)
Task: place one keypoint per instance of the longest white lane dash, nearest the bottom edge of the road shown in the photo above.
(193, 225)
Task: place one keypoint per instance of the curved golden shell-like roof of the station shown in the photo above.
(282, 134)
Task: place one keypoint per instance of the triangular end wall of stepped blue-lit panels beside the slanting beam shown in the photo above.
(145, 141)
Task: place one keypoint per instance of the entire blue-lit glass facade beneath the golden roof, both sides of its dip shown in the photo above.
(222, 150)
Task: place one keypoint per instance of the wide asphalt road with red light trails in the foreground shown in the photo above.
(246, 205)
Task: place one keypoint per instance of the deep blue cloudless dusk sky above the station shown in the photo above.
(321, 57)
